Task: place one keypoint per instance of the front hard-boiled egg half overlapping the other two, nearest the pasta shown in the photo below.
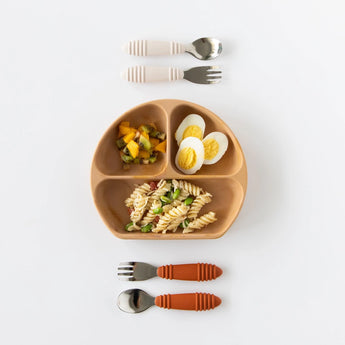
(190, 156)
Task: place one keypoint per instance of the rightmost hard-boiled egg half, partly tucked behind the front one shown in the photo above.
(215, 144)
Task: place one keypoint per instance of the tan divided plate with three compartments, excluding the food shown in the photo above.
(111, 185)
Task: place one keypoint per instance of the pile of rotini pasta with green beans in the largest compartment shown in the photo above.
(167, 206)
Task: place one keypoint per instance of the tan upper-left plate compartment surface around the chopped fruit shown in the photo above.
(107, 158)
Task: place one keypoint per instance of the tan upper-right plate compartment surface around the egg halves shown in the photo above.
(232, 160)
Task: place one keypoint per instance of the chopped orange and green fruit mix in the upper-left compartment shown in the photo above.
(140, 145)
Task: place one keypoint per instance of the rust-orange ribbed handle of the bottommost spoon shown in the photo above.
(188, 301)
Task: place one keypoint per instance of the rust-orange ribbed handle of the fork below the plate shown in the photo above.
(198, 272)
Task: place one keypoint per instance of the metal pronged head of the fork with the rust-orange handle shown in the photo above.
(134, 271)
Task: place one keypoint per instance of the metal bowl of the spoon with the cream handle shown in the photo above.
(205, 48)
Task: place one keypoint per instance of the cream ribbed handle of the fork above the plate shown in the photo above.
(146, 74)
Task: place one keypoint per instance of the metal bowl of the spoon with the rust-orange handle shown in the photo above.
(134, 301)
